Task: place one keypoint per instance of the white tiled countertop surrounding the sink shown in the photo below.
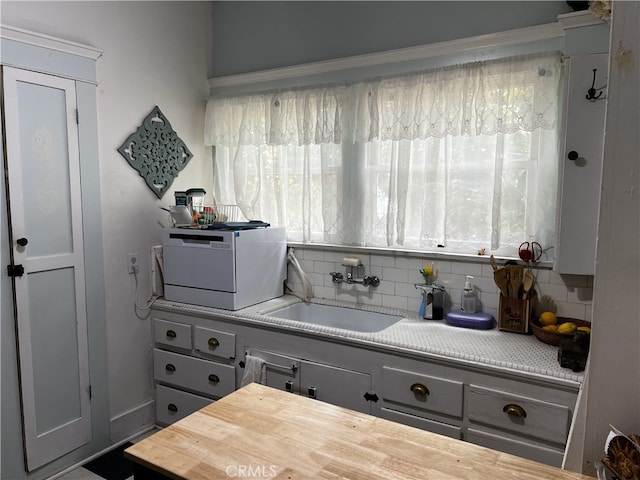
(493, 349)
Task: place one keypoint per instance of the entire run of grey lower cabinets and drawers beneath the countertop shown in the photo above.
(198, 360)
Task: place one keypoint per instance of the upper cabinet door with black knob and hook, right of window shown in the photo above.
(581, 177)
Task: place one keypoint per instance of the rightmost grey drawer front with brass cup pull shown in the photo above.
(522, 415)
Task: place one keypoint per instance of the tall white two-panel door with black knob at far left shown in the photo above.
(46, 239)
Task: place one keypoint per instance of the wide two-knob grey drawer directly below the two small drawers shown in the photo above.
(202, 376)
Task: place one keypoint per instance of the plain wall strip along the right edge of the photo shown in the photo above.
(614, 378)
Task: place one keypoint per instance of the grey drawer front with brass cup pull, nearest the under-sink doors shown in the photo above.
(422, 391)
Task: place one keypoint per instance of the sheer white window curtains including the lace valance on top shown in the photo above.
(463, 157)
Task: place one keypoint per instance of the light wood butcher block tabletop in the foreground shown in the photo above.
(261, 432)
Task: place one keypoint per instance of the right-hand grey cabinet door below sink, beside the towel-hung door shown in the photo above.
(337, 386)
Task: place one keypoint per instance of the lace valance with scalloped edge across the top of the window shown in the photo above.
(502, 96)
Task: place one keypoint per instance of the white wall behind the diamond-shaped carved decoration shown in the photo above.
(155, 53)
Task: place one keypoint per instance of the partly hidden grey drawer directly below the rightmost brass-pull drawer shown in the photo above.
(539, 453)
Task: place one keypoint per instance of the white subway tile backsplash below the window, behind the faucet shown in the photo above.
(566, 295)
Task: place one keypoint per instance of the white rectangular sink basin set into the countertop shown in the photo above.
(337, 317)
